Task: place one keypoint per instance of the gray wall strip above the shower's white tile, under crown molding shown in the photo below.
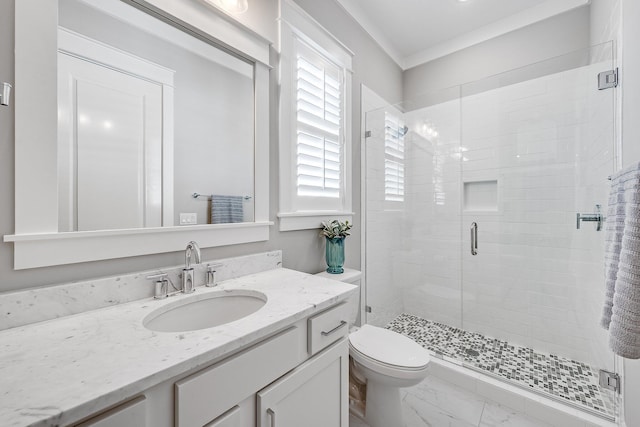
(546, 39)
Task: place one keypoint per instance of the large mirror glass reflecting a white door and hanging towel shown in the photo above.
(155, 126)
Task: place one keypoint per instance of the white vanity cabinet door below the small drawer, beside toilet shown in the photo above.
(315, 394)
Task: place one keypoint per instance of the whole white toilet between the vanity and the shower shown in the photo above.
(385, 360)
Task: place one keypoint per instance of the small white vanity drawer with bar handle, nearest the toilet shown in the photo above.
(327, 327)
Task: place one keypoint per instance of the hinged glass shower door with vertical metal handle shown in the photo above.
(537, 148)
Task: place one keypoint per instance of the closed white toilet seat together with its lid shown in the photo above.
(388, 352)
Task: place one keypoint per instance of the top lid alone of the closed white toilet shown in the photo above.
(389, 347)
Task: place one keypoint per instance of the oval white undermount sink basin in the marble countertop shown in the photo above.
(203, 311)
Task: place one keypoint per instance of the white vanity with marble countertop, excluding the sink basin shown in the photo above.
(289, 358)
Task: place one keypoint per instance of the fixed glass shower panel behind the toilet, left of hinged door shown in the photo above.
(412, 212)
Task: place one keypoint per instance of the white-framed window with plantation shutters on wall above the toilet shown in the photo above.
(315, 119)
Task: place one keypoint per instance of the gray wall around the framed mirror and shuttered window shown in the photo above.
(302, 250)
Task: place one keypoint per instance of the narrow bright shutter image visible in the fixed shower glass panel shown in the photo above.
(393, 159)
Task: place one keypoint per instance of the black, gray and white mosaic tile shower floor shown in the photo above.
(568, 379)
